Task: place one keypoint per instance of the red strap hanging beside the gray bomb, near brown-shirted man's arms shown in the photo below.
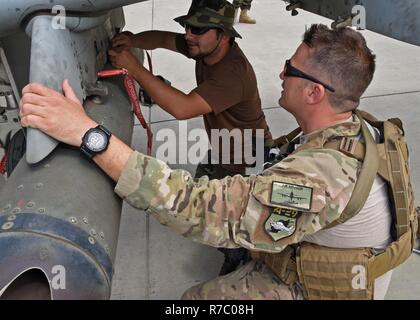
(130, 87)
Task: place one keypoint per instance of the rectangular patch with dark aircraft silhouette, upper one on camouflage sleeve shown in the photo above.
(291, 195)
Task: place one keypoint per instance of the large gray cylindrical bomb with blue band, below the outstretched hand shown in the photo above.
(61, 215)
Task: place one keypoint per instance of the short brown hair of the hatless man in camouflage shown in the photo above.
(341, 55)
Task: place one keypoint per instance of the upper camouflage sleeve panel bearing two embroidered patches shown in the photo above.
(299, 196)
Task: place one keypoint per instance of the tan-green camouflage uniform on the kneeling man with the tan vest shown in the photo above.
(306, 190)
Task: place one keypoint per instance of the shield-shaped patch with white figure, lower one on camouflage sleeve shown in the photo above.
(281, 223)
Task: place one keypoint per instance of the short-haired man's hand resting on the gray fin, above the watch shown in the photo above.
(60, 116)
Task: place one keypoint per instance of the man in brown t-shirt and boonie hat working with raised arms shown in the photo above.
(226, 94)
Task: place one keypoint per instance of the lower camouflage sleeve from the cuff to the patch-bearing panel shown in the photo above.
(203, 210)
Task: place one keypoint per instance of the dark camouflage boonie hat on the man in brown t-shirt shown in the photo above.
(211, 13)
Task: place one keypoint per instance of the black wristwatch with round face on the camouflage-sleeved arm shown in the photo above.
(95, 141)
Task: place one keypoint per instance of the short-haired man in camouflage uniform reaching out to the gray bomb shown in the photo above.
(292, 201)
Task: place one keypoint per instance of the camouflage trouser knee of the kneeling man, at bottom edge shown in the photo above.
(253, 281)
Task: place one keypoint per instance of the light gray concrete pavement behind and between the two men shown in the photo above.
(155, 263)
